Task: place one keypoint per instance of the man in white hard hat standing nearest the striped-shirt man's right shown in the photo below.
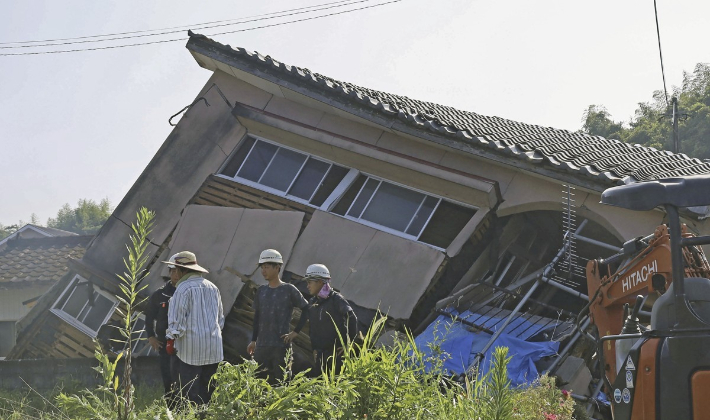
(273, 309)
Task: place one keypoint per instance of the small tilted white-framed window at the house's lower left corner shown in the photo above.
(84, 306)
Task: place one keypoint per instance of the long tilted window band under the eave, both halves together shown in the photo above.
(369, 200)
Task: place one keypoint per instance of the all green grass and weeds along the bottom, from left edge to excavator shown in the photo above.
(375, 384)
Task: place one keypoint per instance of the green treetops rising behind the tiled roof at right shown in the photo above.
(652, 125)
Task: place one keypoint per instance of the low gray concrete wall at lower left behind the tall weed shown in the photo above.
(46, 374)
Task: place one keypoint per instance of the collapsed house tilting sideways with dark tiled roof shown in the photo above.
(419, 210)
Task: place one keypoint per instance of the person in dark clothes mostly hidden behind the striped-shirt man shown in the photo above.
(156, 323)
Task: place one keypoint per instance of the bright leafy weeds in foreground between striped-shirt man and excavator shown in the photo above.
(385, 383)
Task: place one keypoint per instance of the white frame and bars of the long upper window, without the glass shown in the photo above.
(345, 184)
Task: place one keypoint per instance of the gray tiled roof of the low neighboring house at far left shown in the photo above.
(43, 260)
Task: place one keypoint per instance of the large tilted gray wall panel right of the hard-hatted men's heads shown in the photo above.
(374, 269)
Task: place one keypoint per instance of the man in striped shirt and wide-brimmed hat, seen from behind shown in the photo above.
(194, 335)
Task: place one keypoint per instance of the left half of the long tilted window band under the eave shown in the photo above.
(285, 171)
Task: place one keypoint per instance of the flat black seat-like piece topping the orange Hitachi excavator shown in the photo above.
(679, 192)
